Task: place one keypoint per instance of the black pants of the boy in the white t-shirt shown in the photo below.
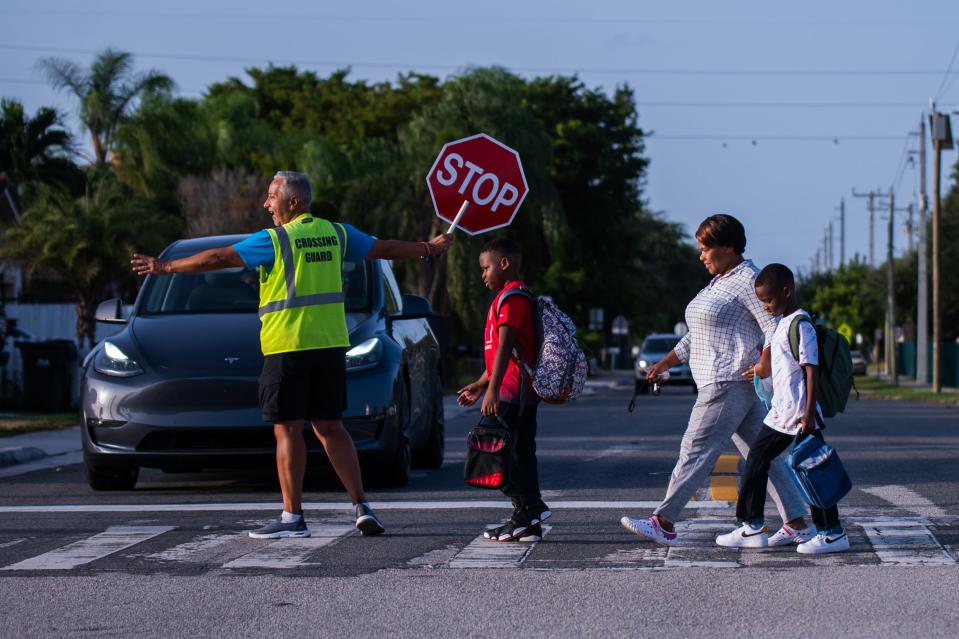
(752, 493)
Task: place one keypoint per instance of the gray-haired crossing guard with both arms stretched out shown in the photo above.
(303, 335)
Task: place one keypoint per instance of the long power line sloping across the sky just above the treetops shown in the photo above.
(452, 67)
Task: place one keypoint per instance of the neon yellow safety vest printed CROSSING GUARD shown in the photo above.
(301, 297)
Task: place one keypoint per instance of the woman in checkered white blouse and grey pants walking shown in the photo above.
(726, 324)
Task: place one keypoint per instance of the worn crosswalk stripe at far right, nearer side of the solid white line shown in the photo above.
(905, 543)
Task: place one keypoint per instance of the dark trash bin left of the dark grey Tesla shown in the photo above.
(48, 370)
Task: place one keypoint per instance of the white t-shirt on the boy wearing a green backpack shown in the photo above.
(789, 380)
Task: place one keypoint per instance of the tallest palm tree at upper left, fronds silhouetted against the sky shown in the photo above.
(106, 92)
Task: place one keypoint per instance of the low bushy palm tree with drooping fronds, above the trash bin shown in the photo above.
(86, 241)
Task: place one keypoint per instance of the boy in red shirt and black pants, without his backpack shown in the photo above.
(508, 396)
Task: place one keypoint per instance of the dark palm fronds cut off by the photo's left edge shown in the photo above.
(36, 149)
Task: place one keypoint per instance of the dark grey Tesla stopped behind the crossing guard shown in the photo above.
(176, 389)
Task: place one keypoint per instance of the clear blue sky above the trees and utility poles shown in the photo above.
(823, 72)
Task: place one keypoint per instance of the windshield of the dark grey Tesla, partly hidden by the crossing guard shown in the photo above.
(236, 290)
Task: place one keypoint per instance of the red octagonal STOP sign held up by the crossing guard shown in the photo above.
(477, 184)
